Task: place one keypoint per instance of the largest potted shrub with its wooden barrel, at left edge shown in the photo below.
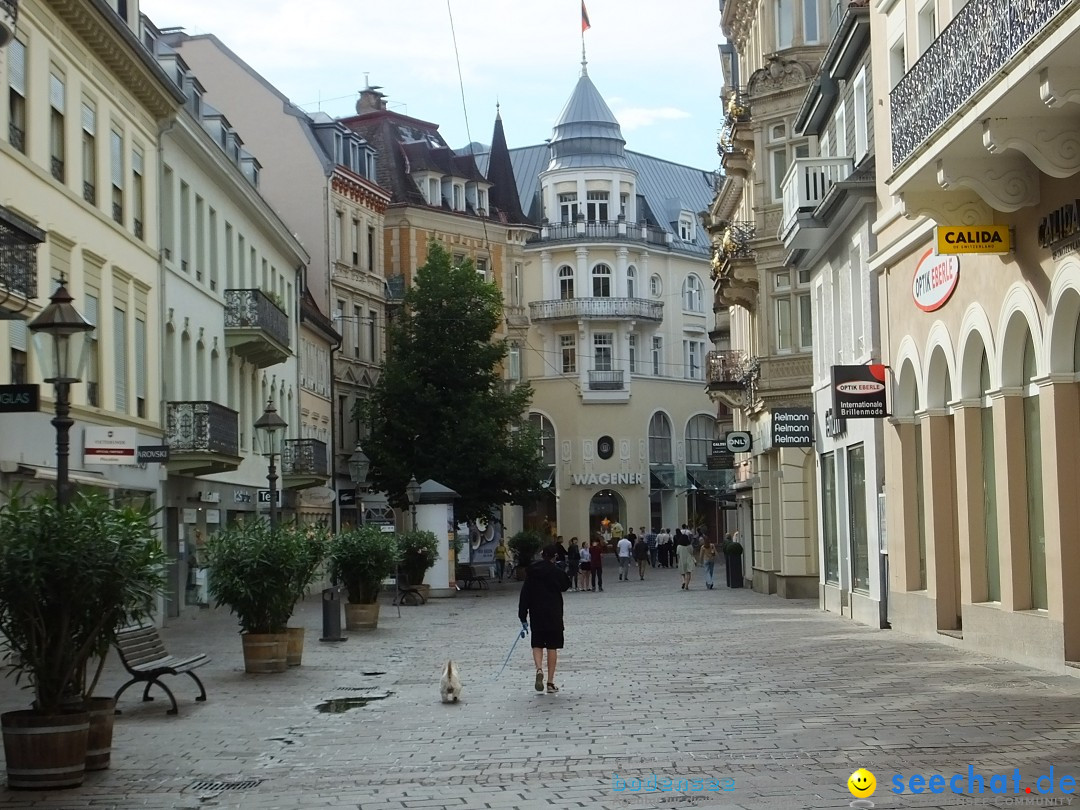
(71, 578)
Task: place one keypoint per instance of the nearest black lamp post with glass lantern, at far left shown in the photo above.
(62, 341)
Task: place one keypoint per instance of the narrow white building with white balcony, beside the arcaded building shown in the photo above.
(828, 227)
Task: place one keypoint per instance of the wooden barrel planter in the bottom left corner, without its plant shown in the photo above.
(44, 752)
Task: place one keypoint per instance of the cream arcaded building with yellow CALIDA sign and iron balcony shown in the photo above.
(978, 128)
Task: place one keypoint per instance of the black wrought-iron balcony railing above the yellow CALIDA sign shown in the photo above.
(974, 50)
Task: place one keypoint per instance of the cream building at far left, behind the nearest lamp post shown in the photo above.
(84, 106)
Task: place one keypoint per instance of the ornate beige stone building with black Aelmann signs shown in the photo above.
(775, 52)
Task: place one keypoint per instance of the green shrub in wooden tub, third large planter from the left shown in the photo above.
(360, 560)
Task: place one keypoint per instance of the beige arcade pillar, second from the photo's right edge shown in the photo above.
(1009, 452)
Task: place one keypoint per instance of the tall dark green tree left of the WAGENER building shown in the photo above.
(441, 410)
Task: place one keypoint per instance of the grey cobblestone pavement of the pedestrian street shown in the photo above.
(782, 699)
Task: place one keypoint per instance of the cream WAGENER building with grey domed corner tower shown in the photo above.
(616, 282)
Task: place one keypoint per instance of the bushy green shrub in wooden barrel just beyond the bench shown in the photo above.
(254, 571)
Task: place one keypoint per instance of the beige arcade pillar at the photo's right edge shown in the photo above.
(1060, 412)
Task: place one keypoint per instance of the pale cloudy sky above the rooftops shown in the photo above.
(655, 62)
